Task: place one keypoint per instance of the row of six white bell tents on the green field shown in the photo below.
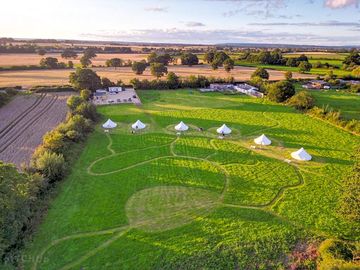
(300, 154)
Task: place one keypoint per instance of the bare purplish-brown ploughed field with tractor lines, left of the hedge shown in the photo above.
(24, 121)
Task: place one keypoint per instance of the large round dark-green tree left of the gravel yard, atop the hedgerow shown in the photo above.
(84, 78)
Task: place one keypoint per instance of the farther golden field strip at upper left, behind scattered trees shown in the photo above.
(19, 59)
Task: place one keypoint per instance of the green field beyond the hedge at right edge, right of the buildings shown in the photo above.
(347, 103)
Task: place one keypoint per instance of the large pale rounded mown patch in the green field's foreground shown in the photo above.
(168, 207)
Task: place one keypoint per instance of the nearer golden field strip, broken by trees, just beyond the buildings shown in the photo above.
(30, 78)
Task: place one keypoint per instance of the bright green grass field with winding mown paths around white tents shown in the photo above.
(158, 200)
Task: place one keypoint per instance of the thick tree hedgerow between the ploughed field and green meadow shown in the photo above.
(24, 195)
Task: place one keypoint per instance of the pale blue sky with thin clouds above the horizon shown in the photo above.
(302, 22)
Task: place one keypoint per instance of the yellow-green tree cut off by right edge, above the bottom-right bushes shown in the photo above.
(349, 206)
